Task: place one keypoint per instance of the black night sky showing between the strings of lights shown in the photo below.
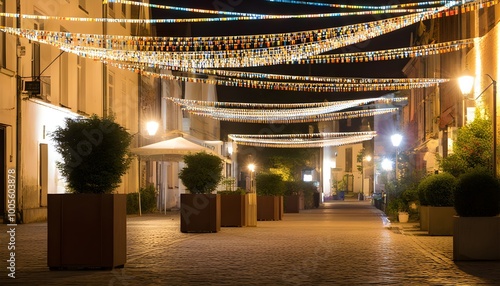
(389, 69)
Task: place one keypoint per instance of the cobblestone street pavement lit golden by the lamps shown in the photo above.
(342, 243)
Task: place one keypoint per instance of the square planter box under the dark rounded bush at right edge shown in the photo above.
(476, 238)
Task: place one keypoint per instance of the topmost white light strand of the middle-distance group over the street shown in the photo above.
(252, 105)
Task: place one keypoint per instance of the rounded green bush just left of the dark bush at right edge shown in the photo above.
(437, 190)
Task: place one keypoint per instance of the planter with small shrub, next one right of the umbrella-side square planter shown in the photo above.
(233, 204)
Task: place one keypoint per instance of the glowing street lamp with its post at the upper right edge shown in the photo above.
(466, 83)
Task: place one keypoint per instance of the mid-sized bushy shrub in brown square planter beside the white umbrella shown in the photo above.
(200, 209)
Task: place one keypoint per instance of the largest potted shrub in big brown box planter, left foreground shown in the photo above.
(87, 225)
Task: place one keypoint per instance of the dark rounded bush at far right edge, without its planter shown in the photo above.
(477, 194)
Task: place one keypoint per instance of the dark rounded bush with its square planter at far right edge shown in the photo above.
(476, 230)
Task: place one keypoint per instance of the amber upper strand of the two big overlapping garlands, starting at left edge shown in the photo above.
(209, 46)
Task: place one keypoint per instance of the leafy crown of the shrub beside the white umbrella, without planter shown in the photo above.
(202, 173)
